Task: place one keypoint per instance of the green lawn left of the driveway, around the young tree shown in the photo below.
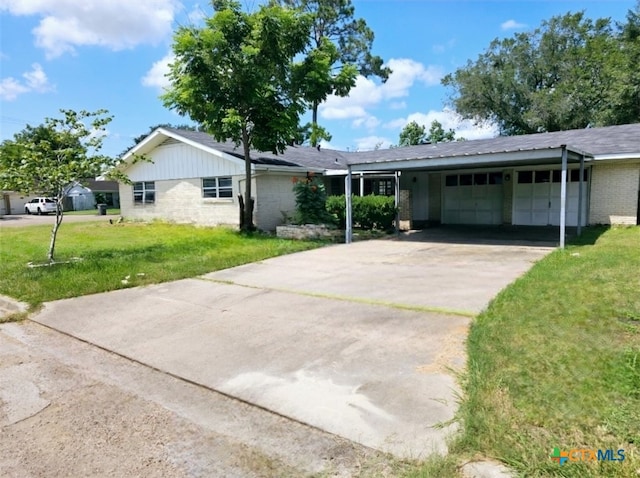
(146, 253)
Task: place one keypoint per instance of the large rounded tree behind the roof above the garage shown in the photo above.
(556, 77)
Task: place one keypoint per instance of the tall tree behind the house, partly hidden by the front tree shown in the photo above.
(339, 50)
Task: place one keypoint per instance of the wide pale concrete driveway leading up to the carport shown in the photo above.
(358, 340)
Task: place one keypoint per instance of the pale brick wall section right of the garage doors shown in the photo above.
(614, 193)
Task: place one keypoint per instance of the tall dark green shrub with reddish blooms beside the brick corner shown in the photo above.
(311, 198)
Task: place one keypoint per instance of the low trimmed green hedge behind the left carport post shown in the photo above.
(369, 212)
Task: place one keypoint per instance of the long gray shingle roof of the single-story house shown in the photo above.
(596, 141)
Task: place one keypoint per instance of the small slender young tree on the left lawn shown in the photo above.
(48, 158)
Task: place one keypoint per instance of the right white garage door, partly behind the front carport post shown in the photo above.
(536, 198)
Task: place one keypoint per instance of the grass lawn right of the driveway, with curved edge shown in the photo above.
(555, 362)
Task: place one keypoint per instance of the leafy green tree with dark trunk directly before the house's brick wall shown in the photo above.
(234, 76)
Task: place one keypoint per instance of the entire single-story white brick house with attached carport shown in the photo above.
(515, 180)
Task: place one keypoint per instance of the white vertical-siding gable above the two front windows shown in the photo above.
(182, 161)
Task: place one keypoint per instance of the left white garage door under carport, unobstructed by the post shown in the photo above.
(472, 198)
